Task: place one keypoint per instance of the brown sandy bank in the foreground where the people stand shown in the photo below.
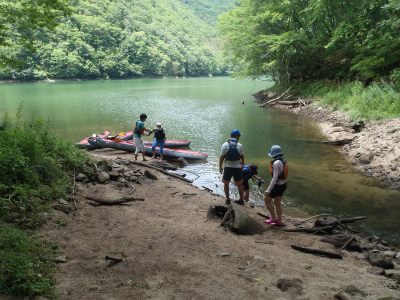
(169, 247)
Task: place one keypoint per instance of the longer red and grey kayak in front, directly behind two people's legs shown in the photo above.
(131, 147)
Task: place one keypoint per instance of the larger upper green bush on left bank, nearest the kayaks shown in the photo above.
(35, 169)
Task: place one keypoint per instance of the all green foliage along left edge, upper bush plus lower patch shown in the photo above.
(35, 170)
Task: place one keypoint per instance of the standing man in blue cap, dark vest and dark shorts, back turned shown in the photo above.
(232, 154)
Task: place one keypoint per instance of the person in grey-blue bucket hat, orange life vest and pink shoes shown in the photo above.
(279, 170)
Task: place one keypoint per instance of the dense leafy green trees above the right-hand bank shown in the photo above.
(314, 40)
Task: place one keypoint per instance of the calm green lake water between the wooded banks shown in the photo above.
(205, 110)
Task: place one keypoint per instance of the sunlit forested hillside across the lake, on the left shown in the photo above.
(122, 39)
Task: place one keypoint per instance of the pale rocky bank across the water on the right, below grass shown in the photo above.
(372, 147)
